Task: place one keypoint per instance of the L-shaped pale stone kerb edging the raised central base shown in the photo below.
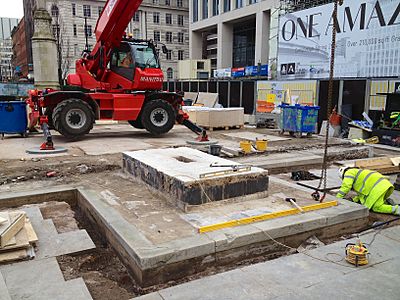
(152, 263)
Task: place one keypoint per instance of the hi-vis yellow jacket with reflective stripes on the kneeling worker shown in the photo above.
(369, 185)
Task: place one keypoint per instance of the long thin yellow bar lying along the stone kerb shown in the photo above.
(266, 216)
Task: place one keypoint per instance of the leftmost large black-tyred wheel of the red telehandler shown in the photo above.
(73, 118)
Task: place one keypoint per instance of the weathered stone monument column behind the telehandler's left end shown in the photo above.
(44, 49)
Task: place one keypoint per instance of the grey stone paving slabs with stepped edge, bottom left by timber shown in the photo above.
(41, 278)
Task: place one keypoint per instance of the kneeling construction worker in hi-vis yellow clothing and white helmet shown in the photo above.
(372, 188)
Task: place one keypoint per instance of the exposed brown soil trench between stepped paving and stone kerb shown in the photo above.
(104, 274)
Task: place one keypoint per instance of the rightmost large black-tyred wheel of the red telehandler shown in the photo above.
(158, 116)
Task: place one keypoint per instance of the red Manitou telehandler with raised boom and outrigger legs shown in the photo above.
(120, 79)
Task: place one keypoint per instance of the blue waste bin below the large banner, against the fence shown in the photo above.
(298, 118)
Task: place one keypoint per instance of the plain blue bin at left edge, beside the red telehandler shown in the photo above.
(13, 117)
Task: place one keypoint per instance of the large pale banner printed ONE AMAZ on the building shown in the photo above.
(368, 41)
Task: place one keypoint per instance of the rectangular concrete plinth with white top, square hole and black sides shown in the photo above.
(176, 171)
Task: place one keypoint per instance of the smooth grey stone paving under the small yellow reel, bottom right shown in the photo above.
(320, 273)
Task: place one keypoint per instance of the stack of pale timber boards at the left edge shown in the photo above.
(17, 237)
